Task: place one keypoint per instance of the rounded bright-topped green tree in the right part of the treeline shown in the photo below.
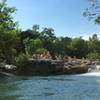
(78, 47)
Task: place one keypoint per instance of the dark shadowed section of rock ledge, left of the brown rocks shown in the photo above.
(40, 67)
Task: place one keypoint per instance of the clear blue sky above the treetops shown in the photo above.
(64, 16)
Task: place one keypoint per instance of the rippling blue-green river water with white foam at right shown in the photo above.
(63, 87)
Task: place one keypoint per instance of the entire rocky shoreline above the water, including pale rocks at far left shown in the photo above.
(51, 67)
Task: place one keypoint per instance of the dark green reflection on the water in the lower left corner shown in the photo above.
(7, 88)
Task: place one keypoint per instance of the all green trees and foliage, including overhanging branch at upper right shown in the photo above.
(34, 41)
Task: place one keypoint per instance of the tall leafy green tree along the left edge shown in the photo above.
(8, 32)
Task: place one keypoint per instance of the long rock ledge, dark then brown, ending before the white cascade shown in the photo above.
(51, 67)
